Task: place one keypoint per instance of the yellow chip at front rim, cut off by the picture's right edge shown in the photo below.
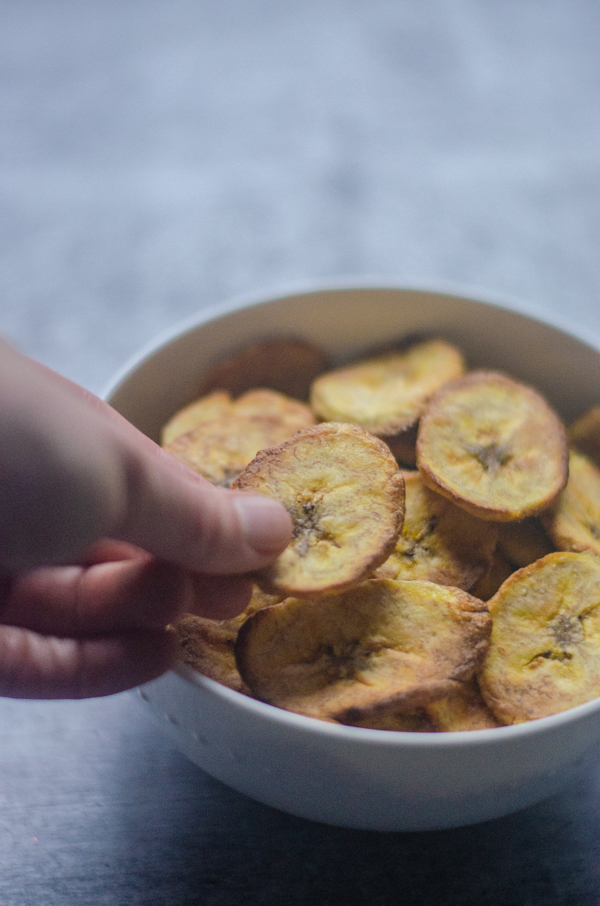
(544, 654)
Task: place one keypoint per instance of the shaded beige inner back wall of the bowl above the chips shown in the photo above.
(348, 321)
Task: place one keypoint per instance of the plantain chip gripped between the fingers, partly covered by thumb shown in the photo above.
(345, 494)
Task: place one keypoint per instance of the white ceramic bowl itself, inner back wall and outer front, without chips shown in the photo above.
(344, 775)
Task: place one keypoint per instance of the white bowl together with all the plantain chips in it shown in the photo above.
(426, 653)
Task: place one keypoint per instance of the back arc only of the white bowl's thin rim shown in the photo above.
(472, 293)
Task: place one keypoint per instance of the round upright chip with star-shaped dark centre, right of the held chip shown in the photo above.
(493, 446)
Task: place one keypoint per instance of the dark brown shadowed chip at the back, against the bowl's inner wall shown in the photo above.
(286, 364)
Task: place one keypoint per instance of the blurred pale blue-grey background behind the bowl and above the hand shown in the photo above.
(159, 156)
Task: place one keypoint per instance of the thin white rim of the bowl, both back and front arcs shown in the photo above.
(450, 739)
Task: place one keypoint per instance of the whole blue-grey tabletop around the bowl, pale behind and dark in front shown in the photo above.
(161, 156)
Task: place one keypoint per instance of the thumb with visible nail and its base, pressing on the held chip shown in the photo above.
(73, 470)
